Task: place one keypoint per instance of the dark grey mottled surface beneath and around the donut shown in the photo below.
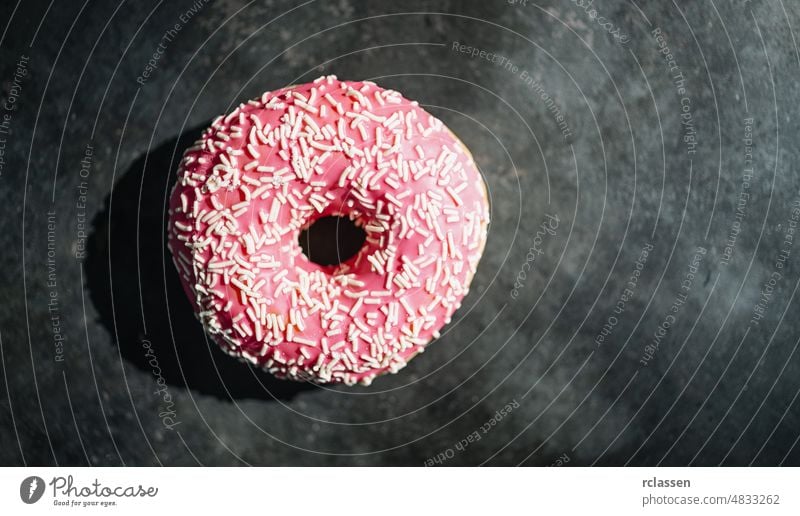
(721, 388)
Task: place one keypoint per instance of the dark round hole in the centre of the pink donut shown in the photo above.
(331, 240)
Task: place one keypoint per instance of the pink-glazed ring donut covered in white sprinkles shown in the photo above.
(274, 166)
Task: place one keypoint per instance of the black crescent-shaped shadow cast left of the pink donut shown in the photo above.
(136, 290)
